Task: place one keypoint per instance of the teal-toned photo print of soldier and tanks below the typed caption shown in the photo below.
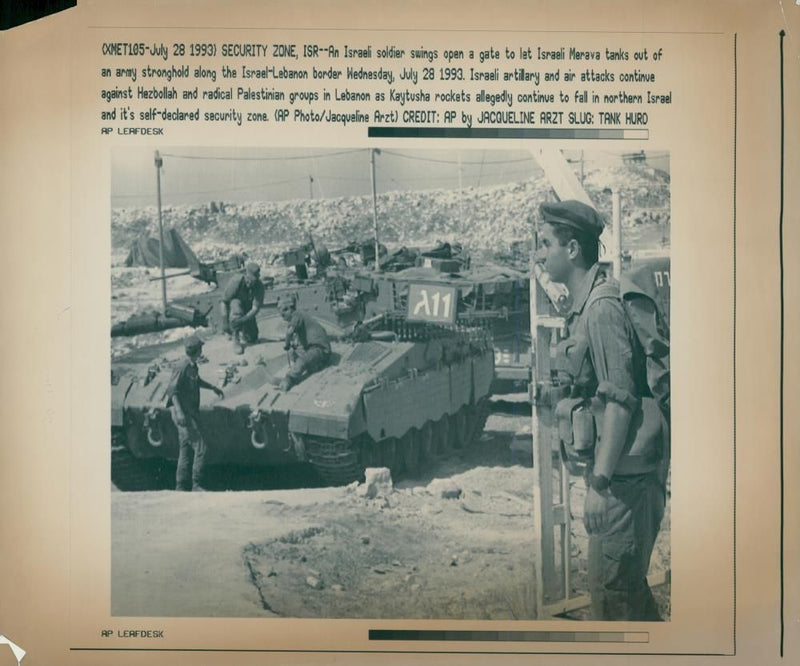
(390, 383)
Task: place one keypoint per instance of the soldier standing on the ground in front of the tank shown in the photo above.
(184, 402)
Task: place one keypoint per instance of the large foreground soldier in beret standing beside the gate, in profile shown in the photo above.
(606, 364)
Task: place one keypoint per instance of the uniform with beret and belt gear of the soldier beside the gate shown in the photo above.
(606, 363)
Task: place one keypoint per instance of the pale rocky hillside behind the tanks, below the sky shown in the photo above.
(482, 218)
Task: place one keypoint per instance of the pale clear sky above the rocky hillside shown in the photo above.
(200, 175)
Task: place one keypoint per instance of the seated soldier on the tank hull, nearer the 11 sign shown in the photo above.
(307, 341)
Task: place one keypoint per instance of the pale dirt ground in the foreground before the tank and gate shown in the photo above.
(456, 543)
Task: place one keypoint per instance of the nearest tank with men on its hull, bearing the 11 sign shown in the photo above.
(410, 379)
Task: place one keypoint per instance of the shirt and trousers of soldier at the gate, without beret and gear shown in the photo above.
(619, 557)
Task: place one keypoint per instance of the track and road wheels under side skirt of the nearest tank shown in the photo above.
(340, 462)
